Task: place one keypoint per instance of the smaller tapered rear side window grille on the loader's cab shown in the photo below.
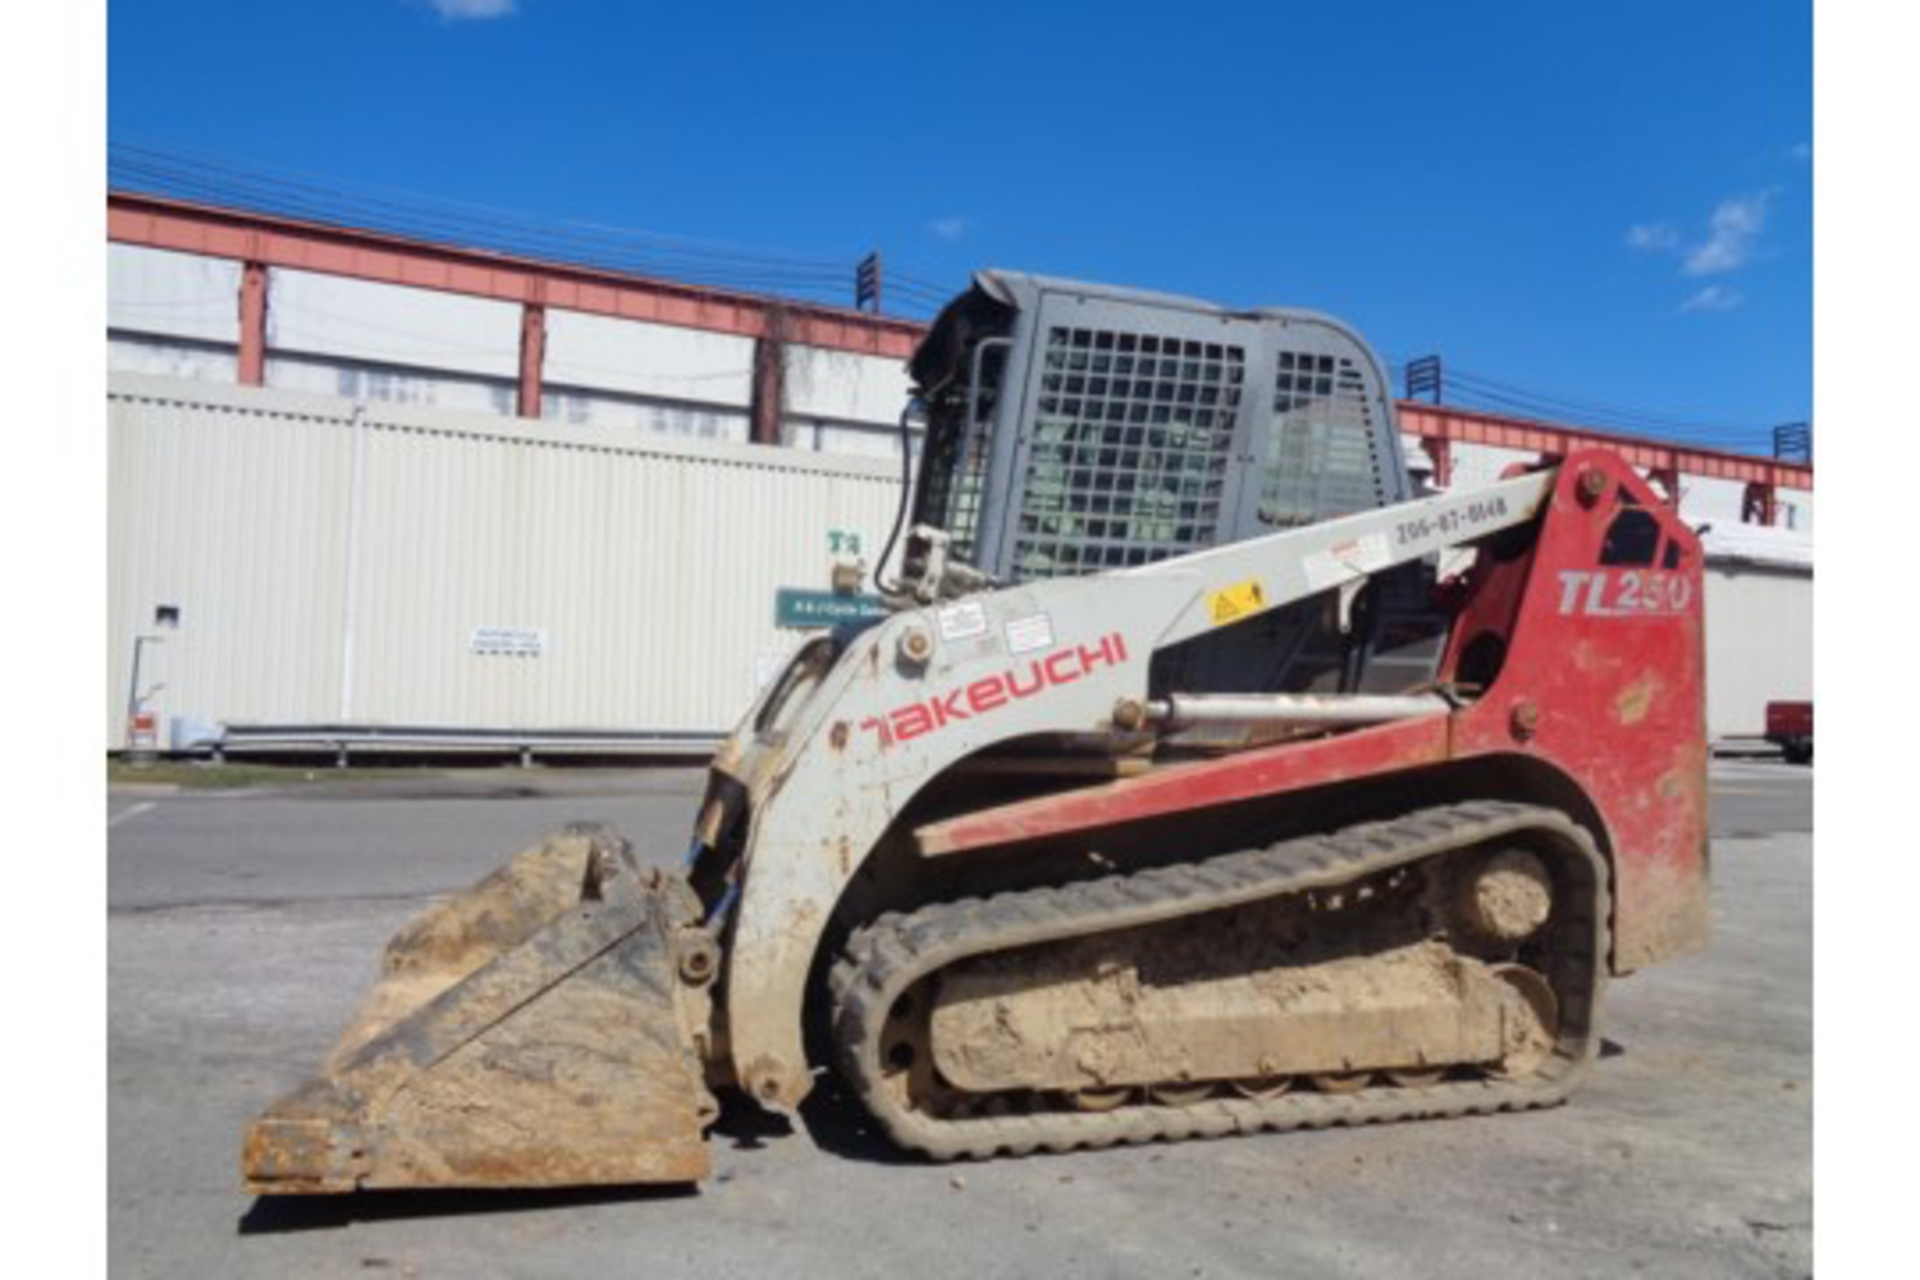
(1322, 448)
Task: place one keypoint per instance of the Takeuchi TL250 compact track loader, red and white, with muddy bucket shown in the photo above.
(1203, 778)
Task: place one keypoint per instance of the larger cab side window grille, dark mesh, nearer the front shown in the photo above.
(1132, 448)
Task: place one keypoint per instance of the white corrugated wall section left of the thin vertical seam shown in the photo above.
(233, 517)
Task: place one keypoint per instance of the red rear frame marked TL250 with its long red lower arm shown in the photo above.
(1610, 705)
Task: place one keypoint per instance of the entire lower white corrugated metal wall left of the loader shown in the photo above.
(335, 569)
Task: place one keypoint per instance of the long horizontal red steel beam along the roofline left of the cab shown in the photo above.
(396, 260)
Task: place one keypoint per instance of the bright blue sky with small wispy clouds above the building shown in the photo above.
(1604, 202)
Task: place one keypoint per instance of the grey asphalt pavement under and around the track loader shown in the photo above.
(245, 930)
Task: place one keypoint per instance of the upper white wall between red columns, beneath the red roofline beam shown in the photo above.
(178, 314)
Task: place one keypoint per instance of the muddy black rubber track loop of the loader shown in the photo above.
(898, 951)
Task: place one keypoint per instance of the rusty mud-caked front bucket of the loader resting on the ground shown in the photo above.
(537, 1031)
